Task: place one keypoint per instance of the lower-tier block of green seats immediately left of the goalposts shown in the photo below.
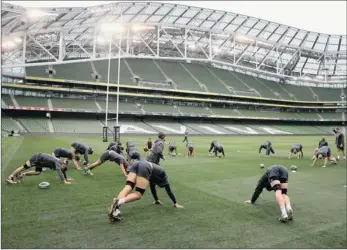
(76, 126)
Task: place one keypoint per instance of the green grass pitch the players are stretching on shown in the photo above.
(211, 190)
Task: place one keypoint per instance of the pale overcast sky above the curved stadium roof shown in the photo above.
(320, 16)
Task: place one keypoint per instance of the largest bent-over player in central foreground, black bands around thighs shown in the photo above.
(140, 175)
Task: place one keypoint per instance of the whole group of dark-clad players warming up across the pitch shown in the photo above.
(141, 173)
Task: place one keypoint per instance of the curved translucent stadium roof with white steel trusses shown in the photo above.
(176, 31)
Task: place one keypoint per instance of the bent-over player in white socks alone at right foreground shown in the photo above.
(275, 178)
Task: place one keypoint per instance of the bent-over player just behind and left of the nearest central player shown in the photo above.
(108, 155)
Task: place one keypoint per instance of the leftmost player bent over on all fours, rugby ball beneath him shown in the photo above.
(39, 161)
